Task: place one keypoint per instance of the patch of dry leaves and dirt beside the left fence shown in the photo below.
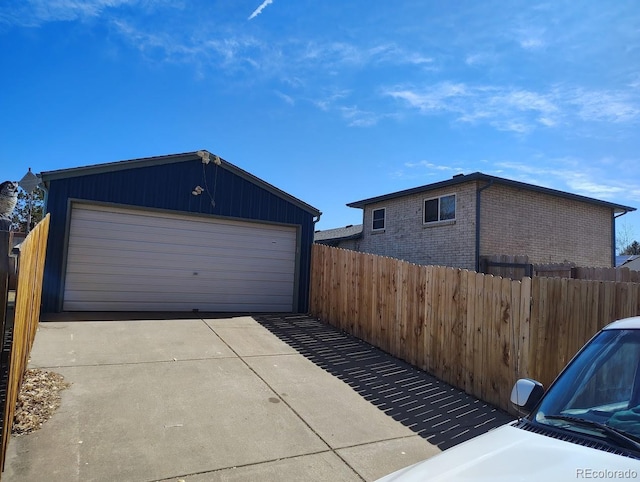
(39, 398)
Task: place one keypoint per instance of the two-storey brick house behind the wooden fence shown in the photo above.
(457, 221)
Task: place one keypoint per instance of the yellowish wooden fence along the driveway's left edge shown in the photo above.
(20, 337)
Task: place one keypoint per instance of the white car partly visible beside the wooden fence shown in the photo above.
(585, 427)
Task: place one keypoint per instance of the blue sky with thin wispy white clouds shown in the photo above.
(332, 102)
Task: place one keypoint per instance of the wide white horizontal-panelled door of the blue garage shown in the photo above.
(133, 260)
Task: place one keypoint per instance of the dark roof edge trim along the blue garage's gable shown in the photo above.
(171, 159)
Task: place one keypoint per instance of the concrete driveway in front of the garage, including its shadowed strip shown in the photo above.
(238, 398)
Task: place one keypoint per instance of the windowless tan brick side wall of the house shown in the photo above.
(547, 229)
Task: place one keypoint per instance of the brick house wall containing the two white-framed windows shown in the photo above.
(451, 243)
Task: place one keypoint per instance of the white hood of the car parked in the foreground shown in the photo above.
(509, 453)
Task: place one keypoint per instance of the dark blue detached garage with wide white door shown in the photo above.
(174, 233)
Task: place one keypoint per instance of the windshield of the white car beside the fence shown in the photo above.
(599, 392)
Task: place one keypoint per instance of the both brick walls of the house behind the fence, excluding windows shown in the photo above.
(547, 229)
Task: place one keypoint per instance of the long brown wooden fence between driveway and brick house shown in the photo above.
(477, 332)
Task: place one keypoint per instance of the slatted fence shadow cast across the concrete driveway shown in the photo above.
(440, 413)
